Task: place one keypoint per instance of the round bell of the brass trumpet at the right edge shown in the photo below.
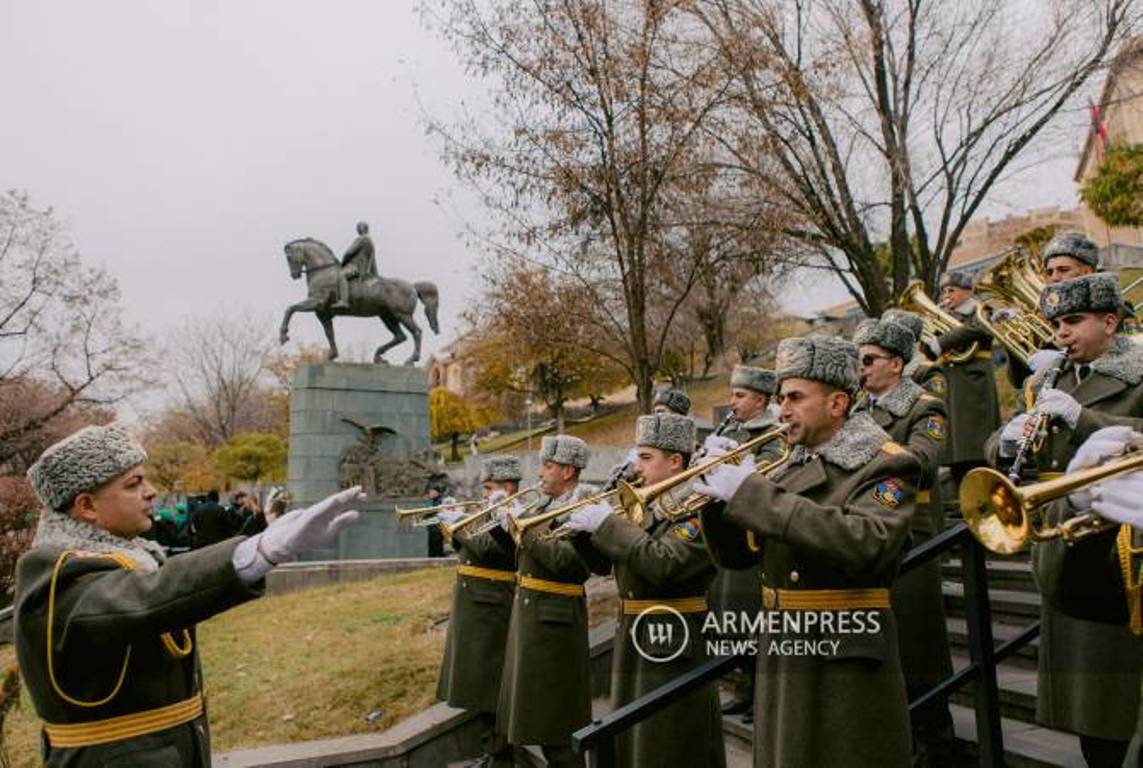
(995, 511)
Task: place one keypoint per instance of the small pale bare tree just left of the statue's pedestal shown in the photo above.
(222, 375)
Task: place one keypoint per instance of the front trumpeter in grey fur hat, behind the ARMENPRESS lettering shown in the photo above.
(833, 524)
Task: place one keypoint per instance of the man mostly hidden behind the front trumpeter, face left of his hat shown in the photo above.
(738, 591)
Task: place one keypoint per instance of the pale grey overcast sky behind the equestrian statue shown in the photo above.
(185, 143)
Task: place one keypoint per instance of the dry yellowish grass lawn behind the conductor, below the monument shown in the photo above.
(309, 666)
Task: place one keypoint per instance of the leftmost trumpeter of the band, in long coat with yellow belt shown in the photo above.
(470, 675)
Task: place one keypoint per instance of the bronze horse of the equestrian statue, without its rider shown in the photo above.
(391, 300)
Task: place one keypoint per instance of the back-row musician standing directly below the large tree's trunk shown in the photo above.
(974, 409)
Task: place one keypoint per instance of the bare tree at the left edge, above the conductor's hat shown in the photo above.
(63, 345)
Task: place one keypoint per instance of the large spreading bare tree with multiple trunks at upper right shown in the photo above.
(893, 121)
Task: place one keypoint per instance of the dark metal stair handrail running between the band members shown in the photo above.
(598, 740)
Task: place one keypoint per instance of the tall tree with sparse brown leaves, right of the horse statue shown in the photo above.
(598, 108)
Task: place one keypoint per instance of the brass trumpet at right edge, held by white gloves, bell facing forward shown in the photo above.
(1006, 518)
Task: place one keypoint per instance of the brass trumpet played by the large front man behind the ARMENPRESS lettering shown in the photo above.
(635, 501)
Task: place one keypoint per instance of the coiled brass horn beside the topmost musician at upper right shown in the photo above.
(1012, 316)
